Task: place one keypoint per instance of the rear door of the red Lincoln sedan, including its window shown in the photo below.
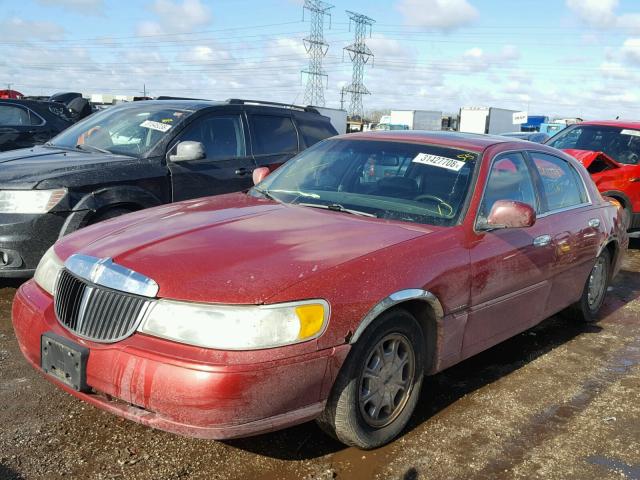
(567, 212)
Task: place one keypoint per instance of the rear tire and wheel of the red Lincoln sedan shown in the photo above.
(595, 290)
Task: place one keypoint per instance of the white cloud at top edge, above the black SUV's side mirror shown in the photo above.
(176, 17)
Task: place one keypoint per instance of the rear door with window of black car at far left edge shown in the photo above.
(19, 127)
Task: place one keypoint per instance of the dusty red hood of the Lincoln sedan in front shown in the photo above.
(235, 248)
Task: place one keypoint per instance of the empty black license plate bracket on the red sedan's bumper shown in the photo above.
(64, 360)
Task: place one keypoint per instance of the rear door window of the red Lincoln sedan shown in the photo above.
(560, 182)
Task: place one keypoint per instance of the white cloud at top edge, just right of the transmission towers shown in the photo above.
(438, 14)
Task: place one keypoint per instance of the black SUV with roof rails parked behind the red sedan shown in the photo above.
(138, 155)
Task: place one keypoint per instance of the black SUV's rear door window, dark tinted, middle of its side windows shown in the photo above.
(273, 134)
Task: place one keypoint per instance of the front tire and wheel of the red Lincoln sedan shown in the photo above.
(394, 339)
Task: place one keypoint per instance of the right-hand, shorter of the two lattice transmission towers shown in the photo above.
(359, 54)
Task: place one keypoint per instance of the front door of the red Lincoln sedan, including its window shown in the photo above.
(509, 267)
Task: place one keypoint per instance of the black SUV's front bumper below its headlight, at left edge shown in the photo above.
(23, 240)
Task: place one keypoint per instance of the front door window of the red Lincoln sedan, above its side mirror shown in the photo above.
(509, 179)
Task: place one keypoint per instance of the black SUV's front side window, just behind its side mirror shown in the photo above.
(221, 135)
